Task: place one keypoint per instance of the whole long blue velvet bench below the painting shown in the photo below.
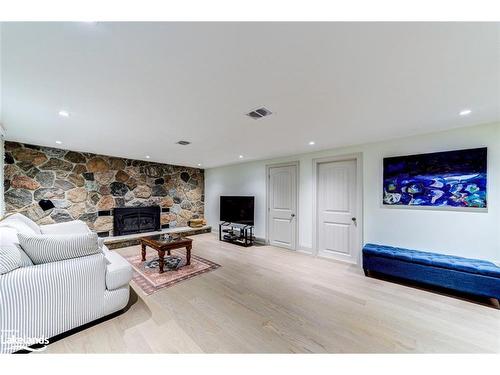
(473, 276)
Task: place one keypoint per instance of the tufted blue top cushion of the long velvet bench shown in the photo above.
(469, 265)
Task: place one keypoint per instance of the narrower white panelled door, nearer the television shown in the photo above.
(282, 209)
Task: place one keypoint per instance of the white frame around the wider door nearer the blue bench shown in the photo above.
(358, 157)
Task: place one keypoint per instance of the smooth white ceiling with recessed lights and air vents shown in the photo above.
(134, 89)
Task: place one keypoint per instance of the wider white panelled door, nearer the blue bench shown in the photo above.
(337, 231)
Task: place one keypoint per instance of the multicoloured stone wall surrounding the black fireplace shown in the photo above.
(87, 187)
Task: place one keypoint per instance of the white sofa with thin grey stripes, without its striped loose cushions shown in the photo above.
(45, 300)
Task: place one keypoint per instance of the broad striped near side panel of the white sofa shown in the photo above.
(51, 298)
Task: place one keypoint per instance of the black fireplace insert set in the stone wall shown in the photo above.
(128, 220)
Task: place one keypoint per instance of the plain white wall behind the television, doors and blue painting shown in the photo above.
(465, 233)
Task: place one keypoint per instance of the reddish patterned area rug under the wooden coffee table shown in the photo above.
(147, 277)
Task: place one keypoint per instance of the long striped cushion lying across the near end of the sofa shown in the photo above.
(52, 248)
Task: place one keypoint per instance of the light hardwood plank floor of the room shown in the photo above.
(268, 300)
